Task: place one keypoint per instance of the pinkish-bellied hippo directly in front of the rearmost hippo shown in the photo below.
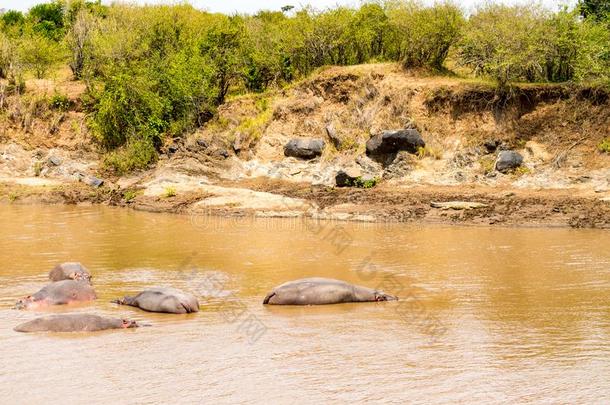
(58, 293)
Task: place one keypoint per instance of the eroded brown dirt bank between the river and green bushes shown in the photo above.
(236, 164)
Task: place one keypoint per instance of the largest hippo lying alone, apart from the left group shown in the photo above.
(320, 291)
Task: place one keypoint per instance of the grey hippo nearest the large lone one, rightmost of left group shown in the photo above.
(168, 300)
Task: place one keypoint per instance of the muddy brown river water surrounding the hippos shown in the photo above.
(487, 315)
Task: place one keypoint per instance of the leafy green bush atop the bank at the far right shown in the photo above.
(528, 43)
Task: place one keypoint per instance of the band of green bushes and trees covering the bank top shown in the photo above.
(158, 72)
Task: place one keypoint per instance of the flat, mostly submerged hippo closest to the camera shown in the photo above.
(74, 323)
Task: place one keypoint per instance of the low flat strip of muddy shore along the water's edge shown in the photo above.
(268, 198)
